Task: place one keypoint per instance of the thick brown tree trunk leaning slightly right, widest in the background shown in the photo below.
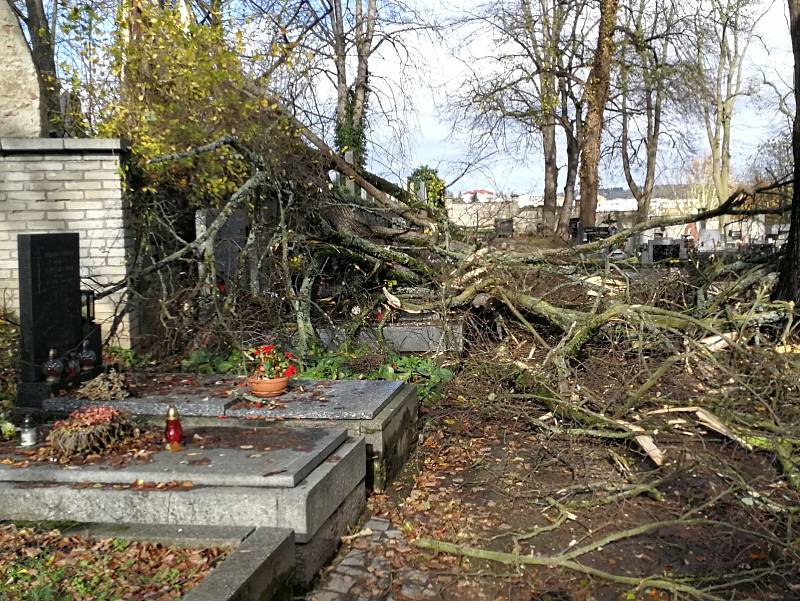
(596, 99)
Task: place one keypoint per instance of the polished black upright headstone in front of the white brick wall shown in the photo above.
(49, 299)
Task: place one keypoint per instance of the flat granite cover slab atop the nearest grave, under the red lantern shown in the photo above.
(259, 466)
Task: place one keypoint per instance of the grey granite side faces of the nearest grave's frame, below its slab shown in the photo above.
(303, 508)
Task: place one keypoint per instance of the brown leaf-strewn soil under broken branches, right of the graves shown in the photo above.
(483, 479)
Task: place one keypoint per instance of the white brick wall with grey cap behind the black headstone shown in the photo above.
(68, 185)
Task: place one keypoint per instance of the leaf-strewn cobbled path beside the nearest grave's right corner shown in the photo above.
(361, 572)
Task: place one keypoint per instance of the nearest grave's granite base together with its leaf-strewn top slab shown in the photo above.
(250, 497)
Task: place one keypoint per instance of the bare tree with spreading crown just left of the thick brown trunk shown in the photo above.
(534, 85)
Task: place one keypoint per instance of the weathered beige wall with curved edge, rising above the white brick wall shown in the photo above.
(20, 105)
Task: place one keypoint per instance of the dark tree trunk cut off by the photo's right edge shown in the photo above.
(788, 287)
